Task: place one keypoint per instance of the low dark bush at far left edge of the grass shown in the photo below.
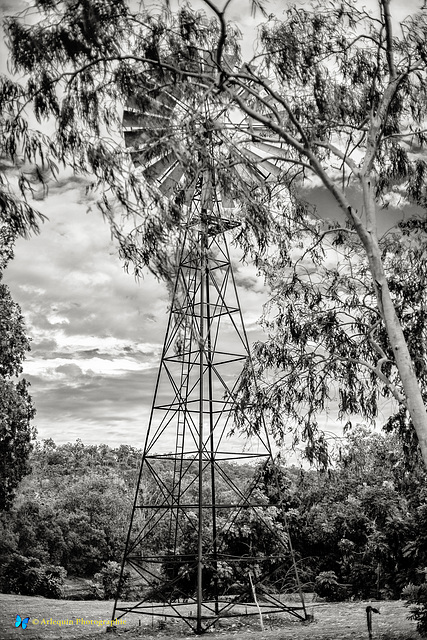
(30, 577)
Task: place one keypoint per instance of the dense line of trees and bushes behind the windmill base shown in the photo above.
(358, 530)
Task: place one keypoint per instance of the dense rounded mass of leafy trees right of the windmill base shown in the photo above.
(357, 521)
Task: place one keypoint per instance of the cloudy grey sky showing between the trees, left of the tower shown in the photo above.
(96, 332)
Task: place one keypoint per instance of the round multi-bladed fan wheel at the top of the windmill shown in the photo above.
(160, 120)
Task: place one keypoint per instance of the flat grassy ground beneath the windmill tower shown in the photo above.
(341, 621)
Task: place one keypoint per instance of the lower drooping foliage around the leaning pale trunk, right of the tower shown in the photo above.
(327, 348)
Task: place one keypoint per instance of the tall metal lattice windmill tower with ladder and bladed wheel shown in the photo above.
(193, 523)
